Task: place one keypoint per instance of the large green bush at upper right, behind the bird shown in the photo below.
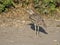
(46, 6)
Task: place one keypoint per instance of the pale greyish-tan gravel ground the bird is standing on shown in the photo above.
(16, 32)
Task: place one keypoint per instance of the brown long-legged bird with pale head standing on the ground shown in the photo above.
(36, 19)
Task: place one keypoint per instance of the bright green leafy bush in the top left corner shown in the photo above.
(5, 4)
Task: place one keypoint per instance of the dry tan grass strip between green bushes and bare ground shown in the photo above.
(19, 13)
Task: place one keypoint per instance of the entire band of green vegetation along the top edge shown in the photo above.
(42, 6)
